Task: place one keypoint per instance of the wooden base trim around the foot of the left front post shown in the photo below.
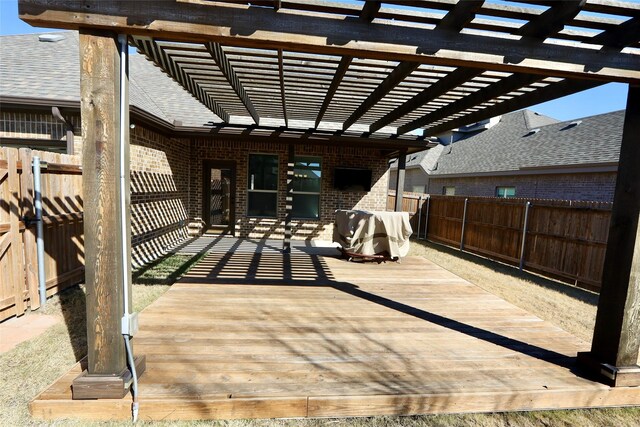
(87, 386)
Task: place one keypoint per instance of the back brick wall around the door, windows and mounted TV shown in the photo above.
(330, 199)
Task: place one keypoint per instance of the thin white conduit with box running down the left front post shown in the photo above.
(129, 322)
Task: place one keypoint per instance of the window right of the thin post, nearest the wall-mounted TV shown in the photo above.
(307, 174)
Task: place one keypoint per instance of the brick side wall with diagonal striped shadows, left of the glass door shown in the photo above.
(159, 193)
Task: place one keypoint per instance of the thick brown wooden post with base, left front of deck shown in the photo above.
(107, 375)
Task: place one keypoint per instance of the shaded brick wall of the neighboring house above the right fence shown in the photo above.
(597, 187)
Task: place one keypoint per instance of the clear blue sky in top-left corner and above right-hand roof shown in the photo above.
(603, 99)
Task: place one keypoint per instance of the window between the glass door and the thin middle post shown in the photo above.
(262, 192)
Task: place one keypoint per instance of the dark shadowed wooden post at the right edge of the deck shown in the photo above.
(616, 340)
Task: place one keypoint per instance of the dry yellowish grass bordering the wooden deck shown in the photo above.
(33, 365)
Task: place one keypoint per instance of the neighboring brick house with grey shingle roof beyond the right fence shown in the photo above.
(522, 154)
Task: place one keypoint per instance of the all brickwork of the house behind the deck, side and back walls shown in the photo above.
(166, 182)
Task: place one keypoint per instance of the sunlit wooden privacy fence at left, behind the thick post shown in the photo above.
(61, 182)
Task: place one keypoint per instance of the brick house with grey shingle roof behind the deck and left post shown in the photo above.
(168, 188)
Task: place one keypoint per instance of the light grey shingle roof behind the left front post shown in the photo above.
(30, 68)
